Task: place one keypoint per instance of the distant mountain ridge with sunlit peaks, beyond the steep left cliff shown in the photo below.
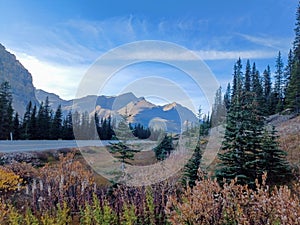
(172, 117)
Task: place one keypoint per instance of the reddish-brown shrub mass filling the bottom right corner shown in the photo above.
(208, 203)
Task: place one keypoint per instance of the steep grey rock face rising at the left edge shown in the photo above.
(19, 78)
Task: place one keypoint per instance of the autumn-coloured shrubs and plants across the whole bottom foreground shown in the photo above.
(67, 193)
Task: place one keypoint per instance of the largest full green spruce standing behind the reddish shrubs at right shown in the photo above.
(242, 137)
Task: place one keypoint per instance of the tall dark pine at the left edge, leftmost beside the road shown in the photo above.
(6, 111)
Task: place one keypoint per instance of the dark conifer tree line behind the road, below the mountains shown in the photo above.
(43, 123)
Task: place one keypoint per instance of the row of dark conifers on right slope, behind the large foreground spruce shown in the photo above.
(275, 93)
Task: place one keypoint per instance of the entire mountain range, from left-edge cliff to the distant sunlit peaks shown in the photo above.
(172, 117)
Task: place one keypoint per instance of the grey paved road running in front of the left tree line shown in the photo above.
(23, 146)
